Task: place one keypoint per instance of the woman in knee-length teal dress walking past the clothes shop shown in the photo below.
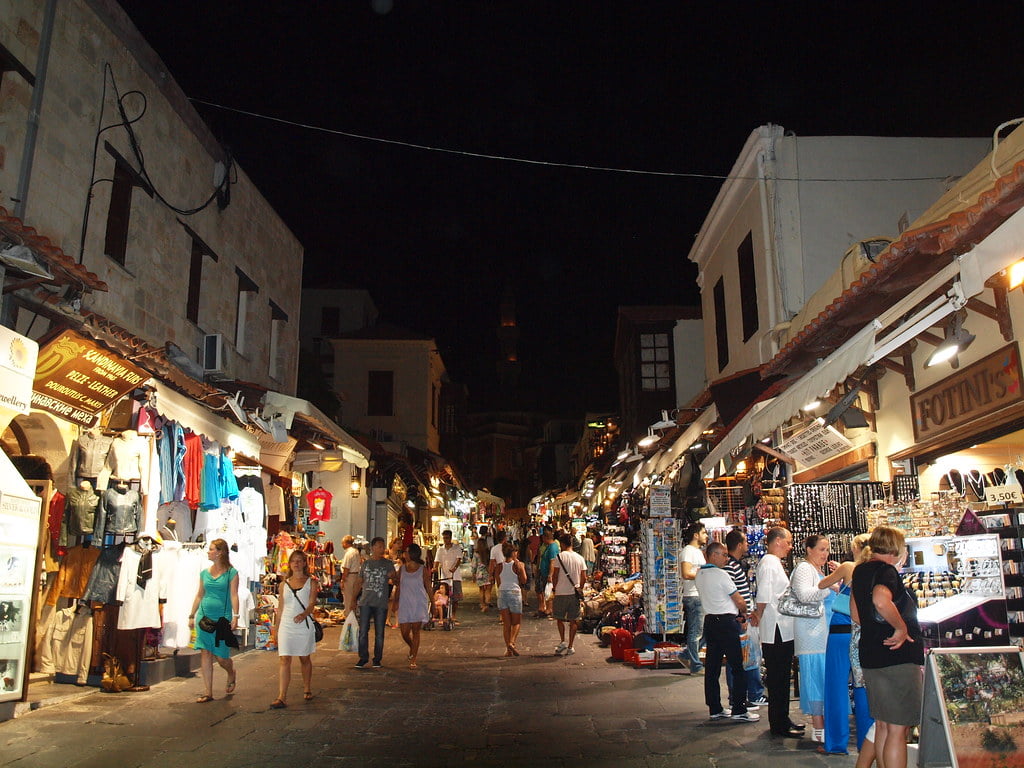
(218, 598)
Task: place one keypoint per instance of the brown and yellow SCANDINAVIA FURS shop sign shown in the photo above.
(76, 379)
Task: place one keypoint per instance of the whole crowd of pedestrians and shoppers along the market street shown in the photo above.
(851, 621)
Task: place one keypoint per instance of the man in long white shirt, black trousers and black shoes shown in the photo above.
(777, 632)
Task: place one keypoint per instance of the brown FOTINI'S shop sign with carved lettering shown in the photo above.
(989, 386)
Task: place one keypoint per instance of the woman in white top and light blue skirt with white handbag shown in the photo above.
(812, 635)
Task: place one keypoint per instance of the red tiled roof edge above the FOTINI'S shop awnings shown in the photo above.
(903, 267)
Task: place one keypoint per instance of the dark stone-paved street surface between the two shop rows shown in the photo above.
(465, 706)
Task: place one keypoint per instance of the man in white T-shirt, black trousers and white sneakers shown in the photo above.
(726, 617)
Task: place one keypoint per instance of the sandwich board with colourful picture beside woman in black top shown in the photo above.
(973, 709)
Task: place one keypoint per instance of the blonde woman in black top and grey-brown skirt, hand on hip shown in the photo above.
(891, 652)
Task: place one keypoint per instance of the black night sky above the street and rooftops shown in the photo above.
(437, 238)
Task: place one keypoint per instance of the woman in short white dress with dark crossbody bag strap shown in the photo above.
(293, 630)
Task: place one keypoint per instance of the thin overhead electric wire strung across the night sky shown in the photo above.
(529, 161)
